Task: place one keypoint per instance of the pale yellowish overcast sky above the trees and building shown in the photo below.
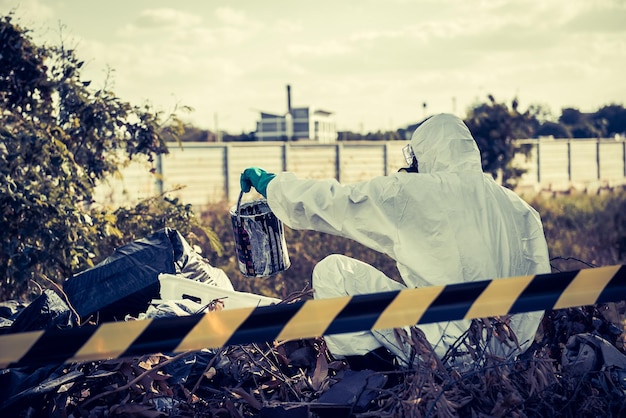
(373, 63)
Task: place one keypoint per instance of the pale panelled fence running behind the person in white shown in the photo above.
(200, 173)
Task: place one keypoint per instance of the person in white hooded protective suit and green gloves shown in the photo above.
(443, 223)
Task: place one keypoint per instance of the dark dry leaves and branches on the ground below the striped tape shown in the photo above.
(301, 379)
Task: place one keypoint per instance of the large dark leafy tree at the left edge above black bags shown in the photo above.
(58, 138)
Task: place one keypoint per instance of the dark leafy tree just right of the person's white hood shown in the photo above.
(494, 126)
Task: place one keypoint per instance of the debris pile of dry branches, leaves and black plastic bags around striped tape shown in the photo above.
(575, 368)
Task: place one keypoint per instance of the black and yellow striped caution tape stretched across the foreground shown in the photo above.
(313, 318)
